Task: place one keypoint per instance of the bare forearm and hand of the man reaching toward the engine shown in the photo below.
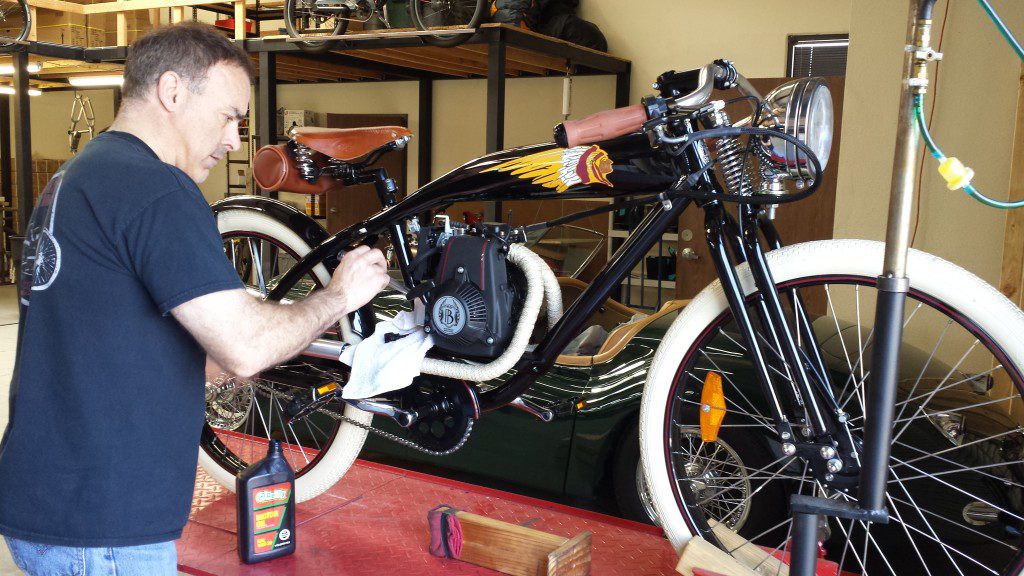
(245, 336)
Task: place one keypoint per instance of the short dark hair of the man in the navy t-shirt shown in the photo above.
(191, 50)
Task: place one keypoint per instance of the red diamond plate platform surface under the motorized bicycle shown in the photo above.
(374, 522)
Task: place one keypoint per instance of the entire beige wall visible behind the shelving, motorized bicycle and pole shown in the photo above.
(979, 133)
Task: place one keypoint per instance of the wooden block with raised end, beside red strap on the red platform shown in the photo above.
(522, 552)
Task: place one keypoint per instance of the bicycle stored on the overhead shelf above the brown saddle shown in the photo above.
(312, 19)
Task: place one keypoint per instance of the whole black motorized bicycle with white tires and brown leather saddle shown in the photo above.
(784, 317)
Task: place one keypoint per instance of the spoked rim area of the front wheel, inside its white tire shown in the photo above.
(957, 484)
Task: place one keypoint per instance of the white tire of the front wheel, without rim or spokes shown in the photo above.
(947, 282)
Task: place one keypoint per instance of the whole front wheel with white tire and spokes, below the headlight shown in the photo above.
(956, 492)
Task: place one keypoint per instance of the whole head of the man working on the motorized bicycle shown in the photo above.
(194, 81)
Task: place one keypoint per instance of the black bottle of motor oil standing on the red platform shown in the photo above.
(267, 508)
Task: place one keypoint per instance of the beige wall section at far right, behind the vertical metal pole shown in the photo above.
(974, 120)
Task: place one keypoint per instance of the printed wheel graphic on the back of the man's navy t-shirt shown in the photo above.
(41, 256)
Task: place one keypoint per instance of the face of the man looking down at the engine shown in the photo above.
(208, 125)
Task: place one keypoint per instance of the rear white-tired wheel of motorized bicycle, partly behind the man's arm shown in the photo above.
(242, 417)
